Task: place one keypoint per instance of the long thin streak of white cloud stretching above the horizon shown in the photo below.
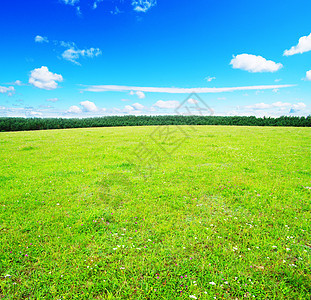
(131, 89)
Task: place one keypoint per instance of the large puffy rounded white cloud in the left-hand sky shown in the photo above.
(42, 78)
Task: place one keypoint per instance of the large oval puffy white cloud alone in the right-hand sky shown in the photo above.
(254, 64)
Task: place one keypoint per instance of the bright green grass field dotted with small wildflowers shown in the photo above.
(225, 216)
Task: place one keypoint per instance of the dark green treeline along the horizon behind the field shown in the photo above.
(20, 124)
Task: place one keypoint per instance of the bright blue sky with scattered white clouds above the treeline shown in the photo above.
(87, 58)
